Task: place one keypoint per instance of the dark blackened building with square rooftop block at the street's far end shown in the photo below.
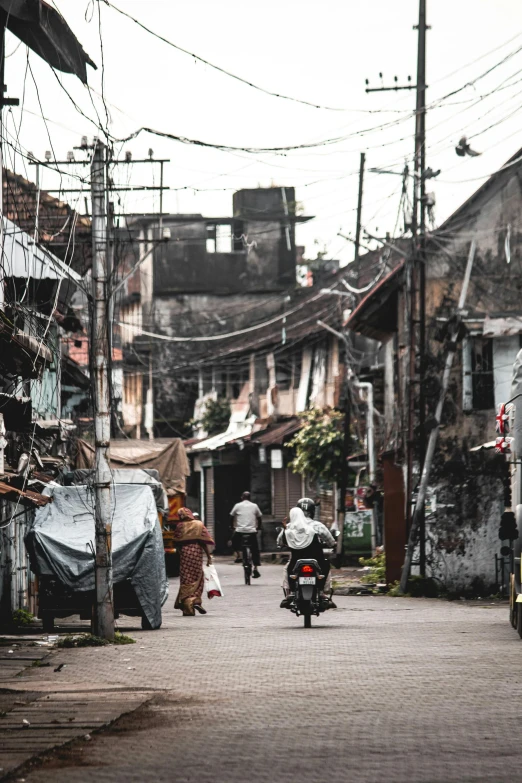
(203, 276)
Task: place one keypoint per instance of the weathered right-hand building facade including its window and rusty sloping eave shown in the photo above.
(466, 484)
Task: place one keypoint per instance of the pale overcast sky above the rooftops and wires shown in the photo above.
(320, 52)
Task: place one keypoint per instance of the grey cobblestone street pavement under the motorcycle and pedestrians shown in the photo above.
(383, 689)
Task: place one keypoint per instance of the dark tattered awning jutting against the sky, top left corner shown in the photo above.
(47, 33)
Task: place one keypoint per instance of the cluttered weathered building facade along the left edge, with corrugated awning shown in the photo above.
(36, 384)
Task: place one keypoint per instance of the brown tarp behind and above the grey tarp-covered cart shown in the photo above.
(166, 455)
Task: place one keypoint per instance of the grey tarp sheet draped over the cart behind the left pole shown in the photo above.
(61, 538)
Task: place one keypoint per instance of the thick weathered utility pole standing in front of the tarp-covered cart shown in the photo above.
(104, 608)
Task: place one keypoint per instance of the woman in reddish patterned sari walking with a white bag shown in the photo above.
(192, 539)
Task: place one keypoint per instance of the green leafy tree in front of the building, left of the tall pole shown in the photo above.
(319, 445)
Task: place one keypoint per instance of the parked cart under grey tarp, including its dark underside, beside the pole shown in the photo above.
(60, 543)
